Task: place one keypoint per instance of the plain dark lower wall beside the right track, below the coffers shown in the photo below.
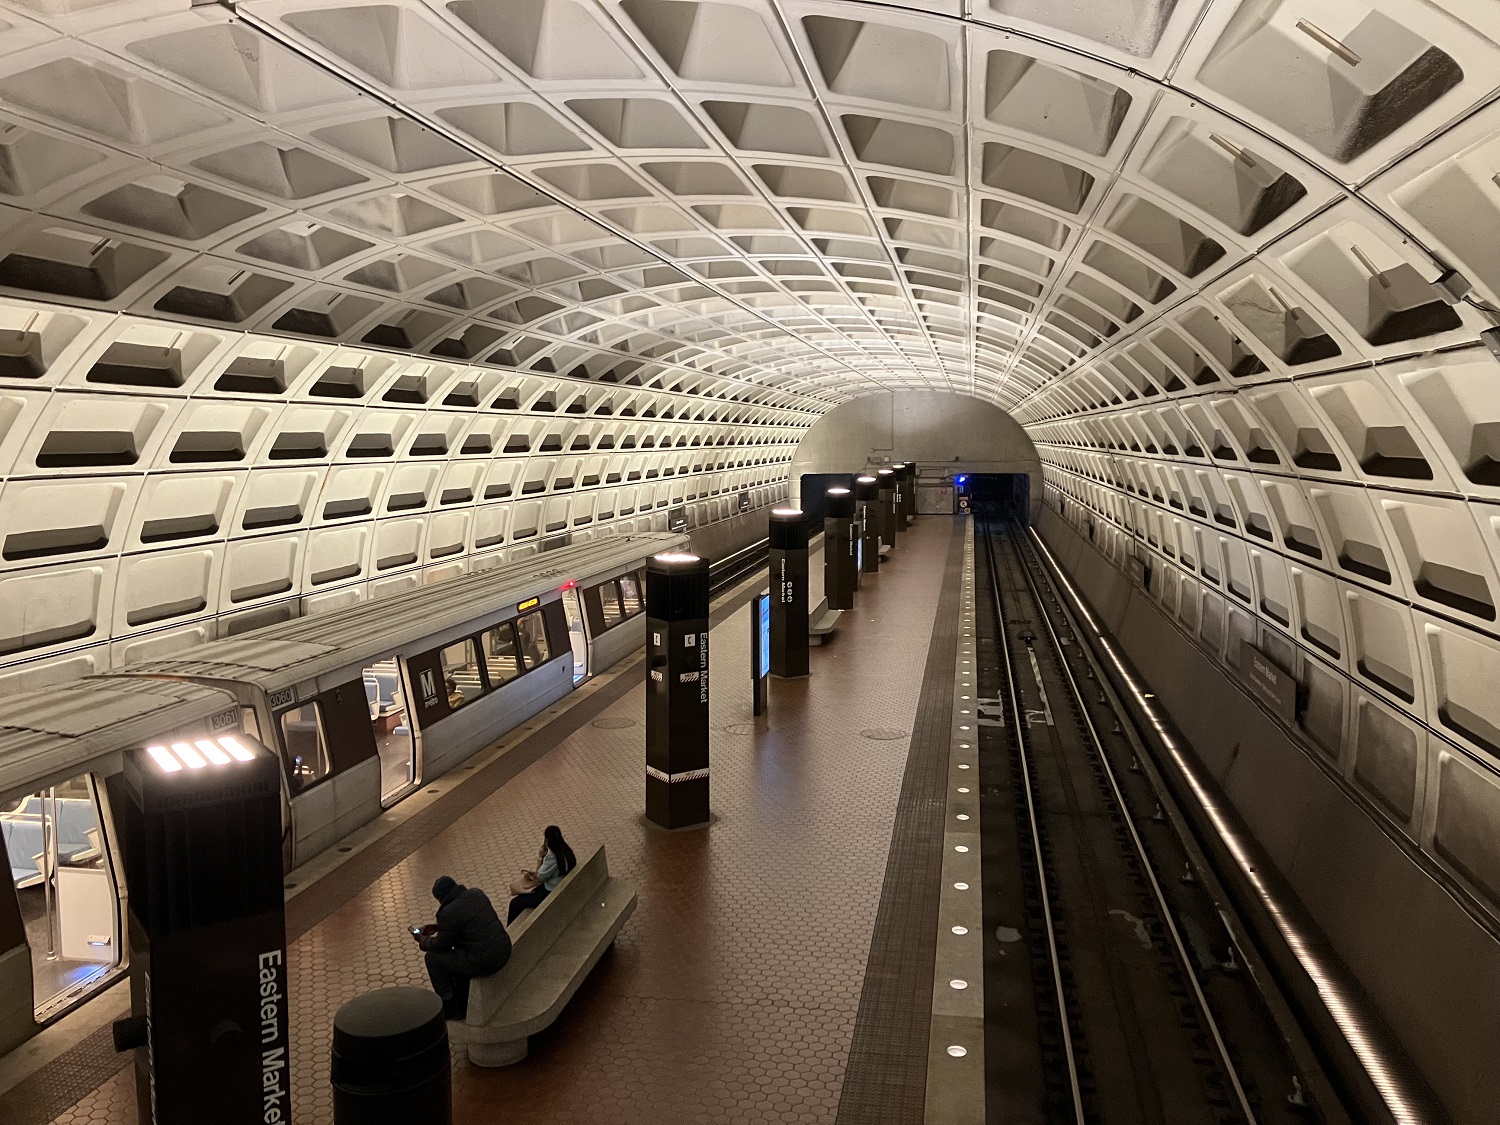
(1430, 968)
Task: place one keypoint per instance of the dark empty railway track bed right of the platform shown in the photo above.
(1141, 1009)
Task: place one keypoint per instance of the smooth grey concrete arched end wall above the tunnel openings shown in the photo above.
(934, 430)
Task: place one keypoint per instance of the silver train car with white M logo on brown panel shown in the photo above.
(368, 703)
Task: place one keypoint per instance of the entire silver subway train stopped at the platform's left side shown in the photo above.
(362, 706)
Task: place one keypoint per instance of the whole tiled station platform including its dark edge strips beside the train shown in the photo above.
(779, 967)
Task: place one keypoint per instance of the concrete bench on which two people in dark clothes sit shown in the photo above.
(554, 949)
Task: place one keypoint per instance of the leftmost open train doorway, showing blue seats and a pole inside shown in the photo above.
(67, 889)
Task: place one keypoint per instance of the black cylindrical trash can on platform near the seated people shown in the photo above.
(391, 1061)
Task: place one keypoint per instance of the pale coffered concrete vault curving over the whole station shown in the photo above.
(304, 301)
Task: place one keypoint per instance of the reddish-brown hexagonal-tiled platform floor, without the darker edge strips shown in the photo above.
(731, 997)
